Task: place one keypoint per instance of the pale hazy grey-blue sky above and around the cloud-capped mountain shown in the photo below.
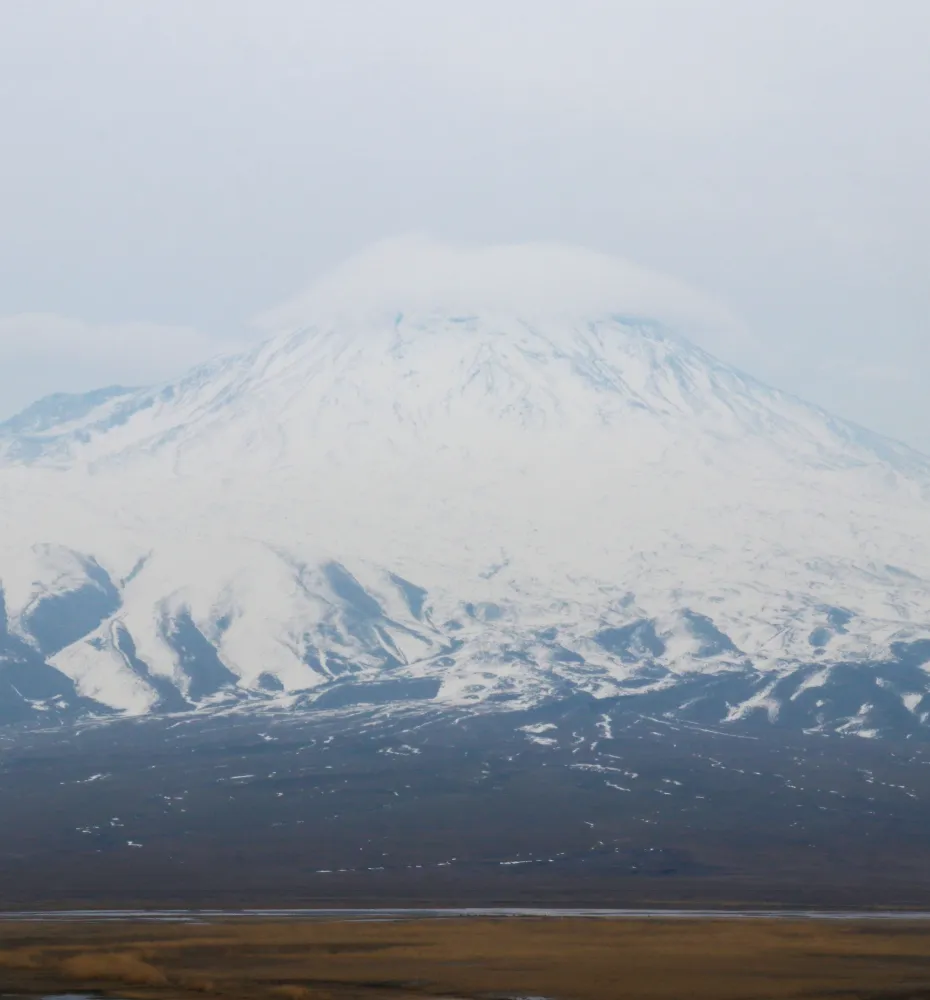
(169, 169)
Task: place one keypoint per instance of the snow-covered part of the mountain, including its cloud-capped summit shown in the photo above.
(454, 489)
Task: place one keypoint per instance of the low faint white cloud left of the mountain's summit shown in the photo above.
(51, 353)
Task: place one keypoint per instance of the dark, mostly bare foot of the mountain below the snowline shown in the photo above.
(290, 812)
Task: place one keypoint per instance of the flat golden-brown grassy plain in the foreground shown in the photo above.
(562, 958)
